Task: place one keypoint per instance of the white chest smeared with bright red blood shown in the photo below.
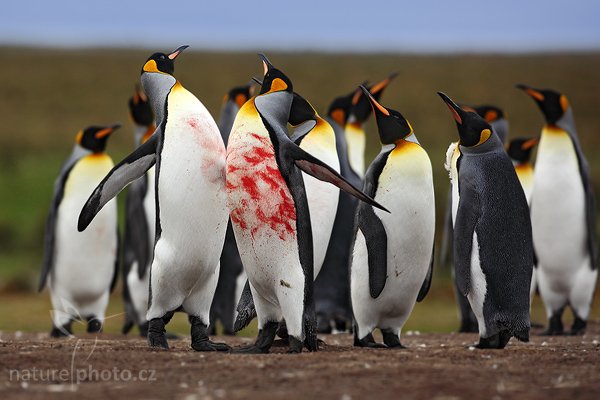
(262, 209)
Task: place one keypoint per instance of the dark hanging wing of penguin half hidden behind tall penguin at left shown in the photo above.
(136, 246)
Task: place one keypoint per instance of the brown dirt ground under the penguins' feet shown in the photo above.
(434, 366)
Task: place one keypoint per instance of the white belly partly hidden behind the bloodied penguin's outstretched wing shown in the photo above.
(322, 197)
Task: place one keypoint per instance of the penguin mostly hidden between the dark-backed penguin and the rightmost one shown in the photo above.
(519, 151)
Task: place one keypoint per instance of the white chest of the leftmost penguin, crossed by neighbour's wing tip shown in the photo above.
(85, 260)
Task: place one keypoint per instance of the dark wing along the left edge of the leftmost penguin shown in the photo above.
(50, 231)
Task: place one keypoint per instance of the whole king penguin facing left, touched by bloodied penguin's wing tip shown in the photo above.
(392, 257)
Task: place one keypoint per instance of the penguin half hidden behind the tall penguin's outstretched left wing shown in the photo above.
(140, 222)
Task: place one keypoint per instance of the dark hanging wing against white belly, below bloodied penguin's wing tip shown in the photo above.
(376, 239)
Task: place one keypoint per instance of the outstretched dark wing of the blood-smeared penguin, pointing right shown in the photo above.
(318, 169)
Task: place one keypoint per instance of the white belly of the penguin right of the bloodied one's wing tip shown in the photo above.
(406, 189)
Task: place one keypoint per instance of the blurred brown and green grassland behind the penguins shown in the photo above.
(46, 96)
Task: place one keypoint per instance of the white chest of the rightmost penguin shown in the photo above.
(558, 202)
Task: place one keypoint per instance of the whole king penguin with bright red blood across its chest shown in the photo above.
(270, 215)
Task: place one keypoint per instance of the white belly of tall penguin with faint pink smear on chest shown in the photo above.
(191, 193)
